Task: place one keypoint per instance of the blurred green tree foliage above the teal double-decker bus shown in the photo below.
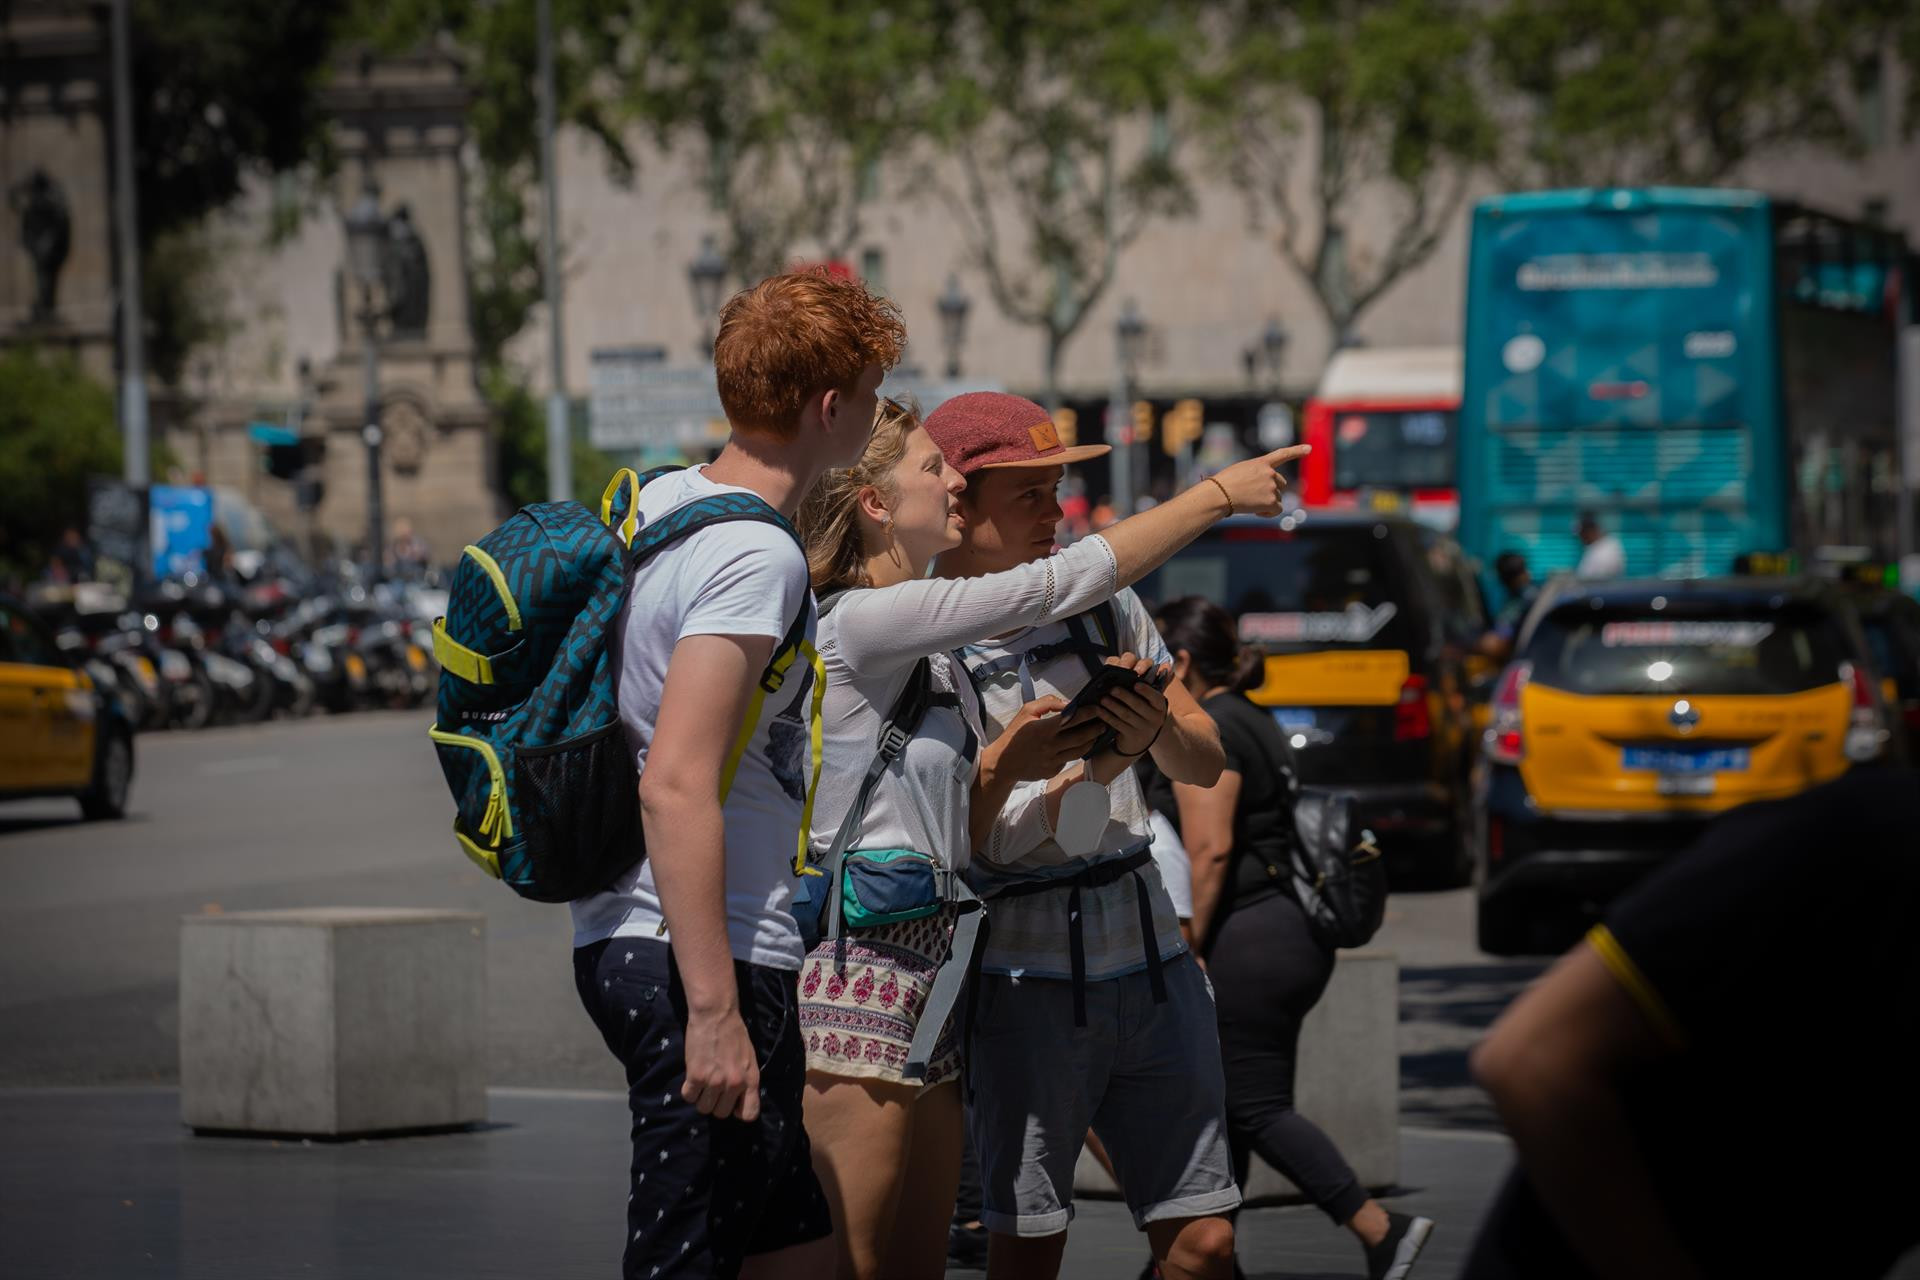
(1687, 91)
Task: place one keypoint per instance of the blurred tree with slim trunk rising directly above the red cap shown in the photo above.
(1059, 128)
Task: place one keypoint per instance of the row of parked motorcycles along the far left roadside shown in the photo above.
(191, 653)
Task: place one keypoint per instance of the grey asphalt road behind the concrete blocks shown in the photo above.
(352, 813)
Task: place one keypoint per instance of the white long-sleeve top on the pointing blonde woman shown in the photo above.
(871, 642)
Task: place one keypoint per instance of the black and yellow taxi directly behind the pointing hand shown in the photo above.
(1368, 627)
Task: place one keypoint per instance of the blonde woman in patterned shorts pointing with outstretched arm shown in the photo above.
(888, 1149)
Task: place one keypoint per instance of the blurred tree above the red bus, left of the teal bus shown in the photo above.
(1316, 107)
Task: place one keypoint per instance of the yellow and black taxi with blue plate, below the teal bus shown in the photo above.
(1639, 711)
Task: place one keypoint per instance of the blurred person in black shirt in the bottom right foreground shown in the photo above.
(1721, 1079)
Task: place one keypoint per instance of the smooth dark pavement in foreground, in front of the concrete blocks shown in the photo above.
(108, 1183)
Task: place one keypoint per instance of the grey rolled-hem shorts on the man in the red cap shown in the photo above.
(1143, 1076)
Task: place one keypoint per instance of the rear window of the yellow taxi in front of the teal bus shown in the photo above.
(1704, 652)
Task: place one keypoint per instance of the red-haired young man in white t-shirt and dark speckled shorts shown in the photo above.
(688, 962)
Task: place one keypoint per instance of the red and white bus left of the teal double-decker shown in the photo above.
(1381, 427)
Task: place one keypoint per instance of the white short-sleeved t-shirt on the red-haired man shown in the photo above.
(740, 579)
